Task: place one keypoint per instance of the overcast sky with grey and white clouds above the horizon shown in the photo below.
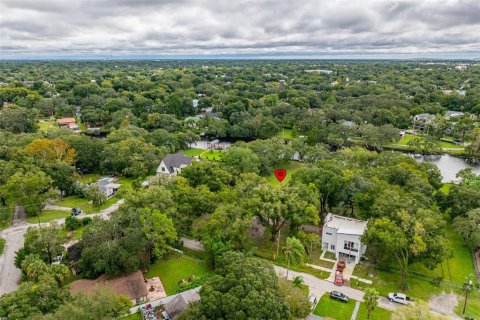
(262, 28)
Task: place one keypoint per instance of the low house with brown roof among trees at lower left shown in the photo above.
(132, 286)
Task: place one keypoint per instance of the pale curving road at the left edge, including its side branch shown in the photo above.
(9, 274)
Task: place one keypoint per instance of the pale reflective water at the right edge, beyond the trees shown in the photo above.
(449, 165)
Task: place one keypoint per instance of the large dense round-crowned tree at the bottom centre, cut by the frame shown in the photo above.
(242, 288)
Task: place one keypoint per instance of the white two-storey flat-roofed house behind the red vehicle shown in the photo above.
(342, 236)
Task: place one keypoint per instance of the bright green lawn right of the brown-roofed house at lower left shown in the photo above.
(175, 268)
